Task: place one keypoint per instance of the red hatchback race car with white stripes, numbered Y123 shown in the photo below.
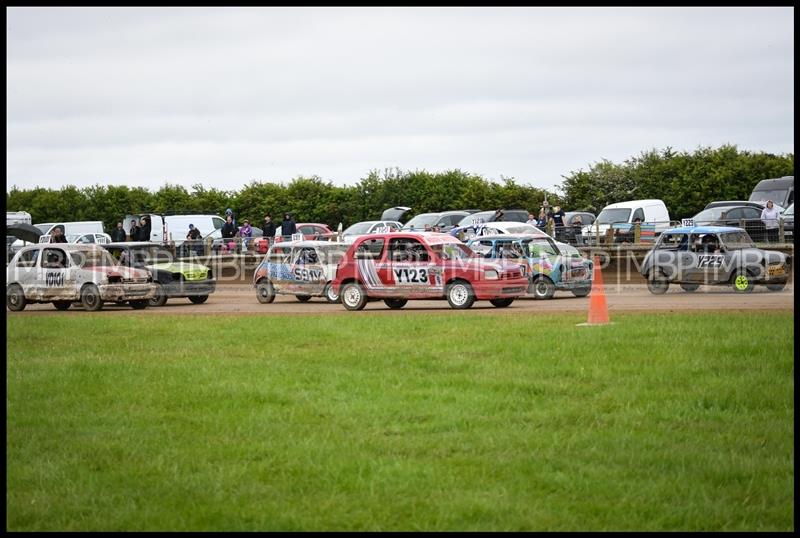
(401, 266)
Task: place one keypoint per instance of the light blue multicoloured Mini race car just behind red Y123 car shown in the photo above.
(550, 265)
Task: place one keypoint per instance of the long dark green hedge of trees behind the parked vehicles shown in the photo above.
(685, 181)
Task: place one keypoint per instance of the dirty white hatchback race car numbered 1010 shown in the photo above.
(65, 273)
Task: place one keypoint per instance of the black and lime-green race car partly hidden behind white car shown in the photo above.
(172, 278)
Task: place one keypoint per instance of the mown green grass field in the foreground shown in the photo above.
(413, 421)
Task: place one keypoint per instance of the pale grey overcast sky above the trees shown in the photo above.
(224, 96)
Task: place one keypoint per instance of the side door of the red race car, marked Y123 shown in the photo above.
(407, 268)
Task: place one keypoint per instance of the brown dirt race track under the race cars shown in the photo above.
(241, 299)
